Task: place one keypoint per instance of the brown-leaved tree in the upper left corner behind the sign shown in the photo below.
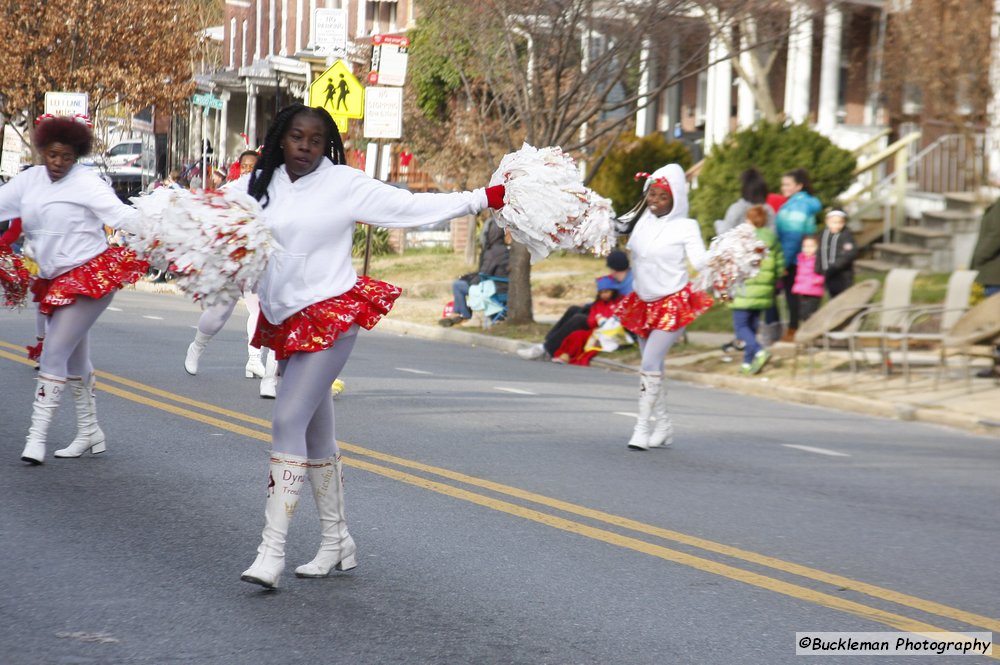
(131, 53)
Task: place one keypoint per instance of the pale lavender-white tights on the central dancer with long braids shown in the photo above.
(303, 423)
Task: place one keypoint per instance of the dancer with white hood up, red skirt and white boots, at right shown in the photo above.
(664, 240)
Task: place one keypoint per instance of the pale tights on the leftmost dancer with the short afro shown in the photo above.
(67, 344)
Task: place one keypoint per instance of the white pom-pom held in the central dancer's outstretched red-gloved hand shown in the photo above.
(547, 207)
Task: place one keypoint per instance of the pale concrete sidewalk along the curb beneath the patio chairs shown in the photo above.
(867, 392)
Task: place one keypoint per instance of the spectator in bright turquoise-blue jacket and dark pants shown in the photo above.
(795, 219)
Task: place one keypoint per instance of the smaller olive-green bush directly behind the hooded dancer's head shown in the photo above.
(615, 178)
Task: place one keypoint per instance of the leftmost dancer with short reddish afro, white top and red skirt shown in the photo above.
(64, 207)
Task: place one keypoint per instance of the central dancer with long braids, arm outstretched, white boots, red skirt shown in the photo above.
(312, 304)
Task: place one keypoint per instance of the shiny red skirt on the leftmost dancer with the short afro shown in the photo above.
(106, 272)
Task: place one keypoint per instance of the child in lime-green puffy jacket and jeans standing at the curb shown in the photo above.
(757, 294)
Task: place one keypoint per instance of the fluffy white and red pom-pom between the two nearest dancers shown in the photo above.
(217, 240)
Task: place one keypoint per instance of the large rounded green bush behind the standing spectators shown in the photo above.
(773, 150)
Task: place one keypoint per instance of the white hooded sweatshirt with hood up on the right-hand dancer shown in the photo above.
(659, 245)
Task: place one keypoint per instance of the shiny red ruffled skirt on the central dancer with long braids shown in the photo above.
(318, 326)
